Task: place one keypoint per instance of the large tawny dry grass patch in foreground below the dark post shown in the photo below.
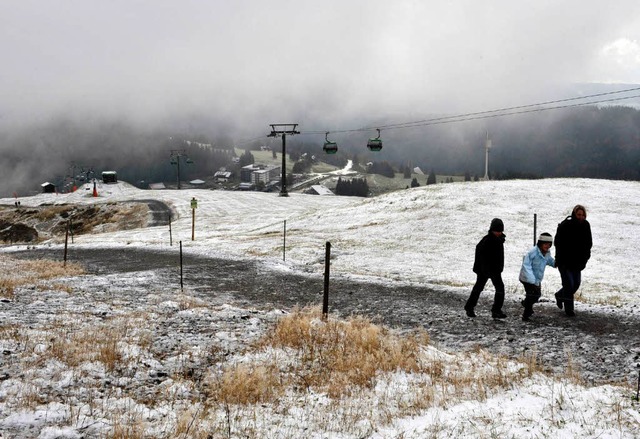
(333, 356)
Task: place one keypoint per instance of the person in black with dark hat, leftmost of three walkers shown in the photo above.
(488, 264)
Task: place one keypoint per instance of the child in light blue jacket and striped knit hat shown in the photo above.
(533, 264)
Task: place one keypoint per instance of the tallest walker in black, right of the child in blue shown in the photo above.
(573, 250)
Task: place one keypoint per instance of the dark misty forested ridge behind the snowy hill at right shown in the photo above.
(590, 141)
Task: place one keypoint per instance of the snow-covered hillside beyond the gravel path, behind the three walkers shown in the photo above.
(424, 235)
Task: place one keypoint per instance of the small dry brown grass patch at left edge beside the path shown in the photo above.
(15, 273)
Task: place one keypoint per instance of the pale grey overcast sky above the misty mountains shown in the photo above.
(250, 63)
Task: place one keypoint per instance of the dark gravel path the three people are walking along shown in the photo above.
(601, 344)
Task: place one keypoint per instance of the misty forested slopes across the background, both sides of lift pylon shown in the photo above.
(590, 141)
